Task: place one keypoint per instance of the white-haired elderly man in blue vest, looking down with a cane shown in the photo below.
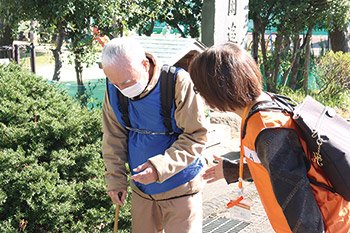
(165, 164)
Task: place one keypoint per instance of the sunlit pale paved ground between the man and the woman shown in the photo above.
(217, 195)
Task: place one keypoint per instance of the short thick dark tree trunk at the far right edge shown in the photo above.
(340, 39)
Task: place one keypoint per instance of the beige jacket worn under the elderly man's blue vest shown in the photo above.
(189, 116)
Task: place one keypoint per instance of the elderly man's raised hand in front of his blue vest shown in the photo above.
(147, 175)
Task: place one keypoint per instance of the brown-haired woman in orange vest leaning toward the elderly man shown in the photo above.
(228, 78)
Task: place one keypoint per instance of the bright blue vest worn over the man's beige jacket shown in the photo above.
(146, 116)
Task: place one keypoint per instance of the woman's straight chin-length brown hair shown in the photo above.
(226, 76)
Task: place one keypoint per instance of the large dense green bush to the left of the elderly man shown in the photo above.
(51, 168)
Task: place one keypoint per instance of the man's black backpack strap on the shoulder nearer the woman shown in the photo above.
(167, 93)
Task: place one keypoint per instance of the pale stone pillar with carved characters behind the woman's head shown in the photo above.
(225, 20)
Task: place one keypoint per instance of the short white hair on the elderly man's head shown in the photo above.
(123, 48)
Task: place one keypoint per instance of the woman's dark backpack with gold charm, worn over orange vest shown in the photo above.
(327, 136)
